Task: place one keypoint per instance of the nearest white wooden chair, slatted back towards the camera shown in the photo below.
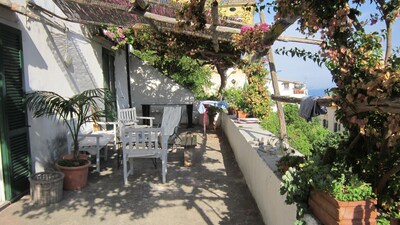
(144, 142)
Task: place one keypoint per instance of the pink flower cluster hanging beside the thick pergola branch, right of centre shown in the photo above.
(250, 38)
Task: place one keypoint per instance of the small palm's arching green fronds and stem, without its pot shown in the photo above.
(74, 112)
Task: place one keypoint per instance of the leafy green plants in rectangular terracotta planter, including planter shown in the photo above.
(327, 187)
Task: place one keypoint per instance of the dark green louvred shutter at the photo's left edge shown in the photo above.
(15, 147)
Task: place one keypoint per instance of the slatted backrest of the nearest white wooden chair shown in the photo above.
(143, 141)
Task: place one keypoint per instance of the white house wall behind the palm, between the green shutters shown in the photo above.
(49, 65)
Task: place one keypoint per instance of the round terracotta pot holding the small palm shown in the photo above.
(75, 178)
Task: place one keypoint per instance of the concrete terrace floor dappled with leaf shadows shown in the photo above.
(211, 191)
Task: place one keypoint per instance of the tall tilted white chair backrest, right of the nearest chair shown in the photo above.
(171, 118)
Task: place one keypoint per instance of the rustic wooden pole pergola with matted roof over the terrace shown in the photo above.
(161, 16)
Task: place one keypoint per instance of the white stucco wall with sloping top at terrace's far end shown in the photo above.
(151, 87)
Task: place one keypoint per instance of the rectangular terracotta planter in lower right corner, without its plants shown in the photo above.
(331, 211)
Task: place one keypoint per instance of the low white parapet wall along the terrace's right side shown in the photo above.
(258, 171)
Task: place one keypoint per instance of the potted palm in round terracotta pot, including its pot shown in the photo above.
(74, 112)
